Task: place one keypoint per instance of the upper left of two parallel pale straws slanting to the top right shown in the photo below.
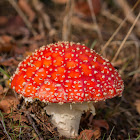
(117, 30)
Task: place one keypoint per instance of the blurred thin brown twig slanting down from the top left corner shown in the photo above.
(26, 21)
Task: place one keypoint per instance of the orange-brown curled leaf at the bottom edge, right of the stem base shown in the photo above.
(89, 134)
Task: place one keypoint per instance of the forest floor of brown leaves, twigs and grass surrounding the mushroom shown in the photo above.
(25, 27)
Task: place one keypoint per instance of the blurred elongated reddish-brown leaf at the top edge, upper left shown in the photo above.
(27, 9)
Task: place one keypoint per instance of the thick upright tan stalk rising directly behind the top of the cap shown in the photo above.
(66, 30)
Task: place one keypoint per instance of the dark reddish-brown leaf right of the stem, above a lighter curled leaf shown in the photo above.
(101, 123)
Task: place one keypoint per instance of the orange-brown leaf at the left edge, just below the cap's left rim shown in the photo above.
(8, 102)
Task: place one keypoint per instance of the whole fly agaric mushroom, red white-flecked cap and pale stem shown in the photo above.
(71, 75)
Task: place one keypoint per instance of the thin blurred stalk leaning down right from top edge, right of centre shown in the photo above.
(94, 19)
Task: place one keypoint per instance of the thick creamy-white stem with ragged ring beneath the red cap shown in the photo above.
(66, 117)
